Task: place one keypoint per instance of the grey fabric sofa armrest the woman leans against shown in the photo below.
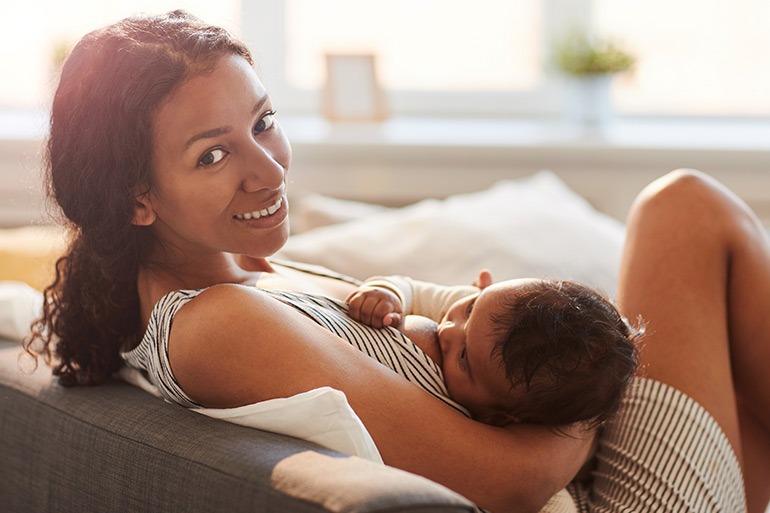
(115, 448)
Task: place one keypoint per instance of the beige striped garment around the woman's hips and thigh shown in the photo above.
(663, 453)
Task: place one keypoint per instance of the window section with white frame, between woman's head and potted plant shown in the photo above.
(434, 56)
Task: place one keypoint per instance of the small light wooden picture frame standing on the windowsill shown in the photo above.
(352, 91)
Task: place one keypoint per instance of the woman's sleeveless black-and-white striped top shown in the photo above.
(388, 346)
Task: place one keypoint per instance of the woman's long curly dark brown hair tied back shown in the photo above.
(98, 161)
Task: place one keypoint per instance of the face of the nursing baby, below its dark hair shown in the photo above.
(474, 374)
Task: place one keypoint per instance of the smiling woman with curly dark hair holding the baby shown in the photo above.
(166, 159)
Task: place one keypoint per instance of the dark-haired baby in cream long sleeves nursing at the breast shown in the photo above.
(528, 350)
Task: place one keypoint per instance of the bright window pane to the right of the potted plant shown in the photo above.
(697, 57)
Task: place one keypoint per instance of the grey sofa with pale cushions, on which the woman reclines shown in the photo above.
(118, 448)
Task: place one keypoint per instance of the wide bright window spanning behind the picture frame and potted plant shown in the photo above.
(491, 57)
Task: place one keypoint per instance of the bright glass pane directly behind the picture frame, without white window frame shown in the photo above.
(422, 45)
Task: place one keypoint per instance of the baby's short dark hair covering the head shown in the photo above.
(568, 353)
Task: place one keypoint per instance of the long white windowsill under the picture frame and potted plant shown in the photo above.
(639, 133)
